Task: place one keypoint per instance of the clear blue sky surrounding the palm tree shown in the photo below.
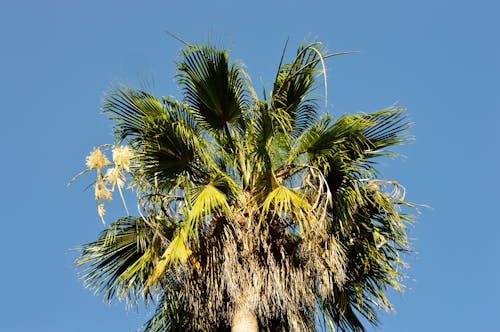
(440, 59)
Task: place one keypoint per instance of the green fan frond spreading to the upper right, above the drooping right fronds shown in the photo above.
(343, 149)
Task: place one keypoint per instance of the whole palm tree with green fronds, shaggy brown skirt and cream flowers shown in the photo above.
(254, 214)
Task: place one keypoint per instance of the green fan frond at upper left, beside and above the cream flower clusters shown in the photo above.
(165, 136)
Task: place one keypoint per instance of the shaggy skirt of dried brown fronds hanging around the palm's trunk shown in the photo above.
(260, 277)
